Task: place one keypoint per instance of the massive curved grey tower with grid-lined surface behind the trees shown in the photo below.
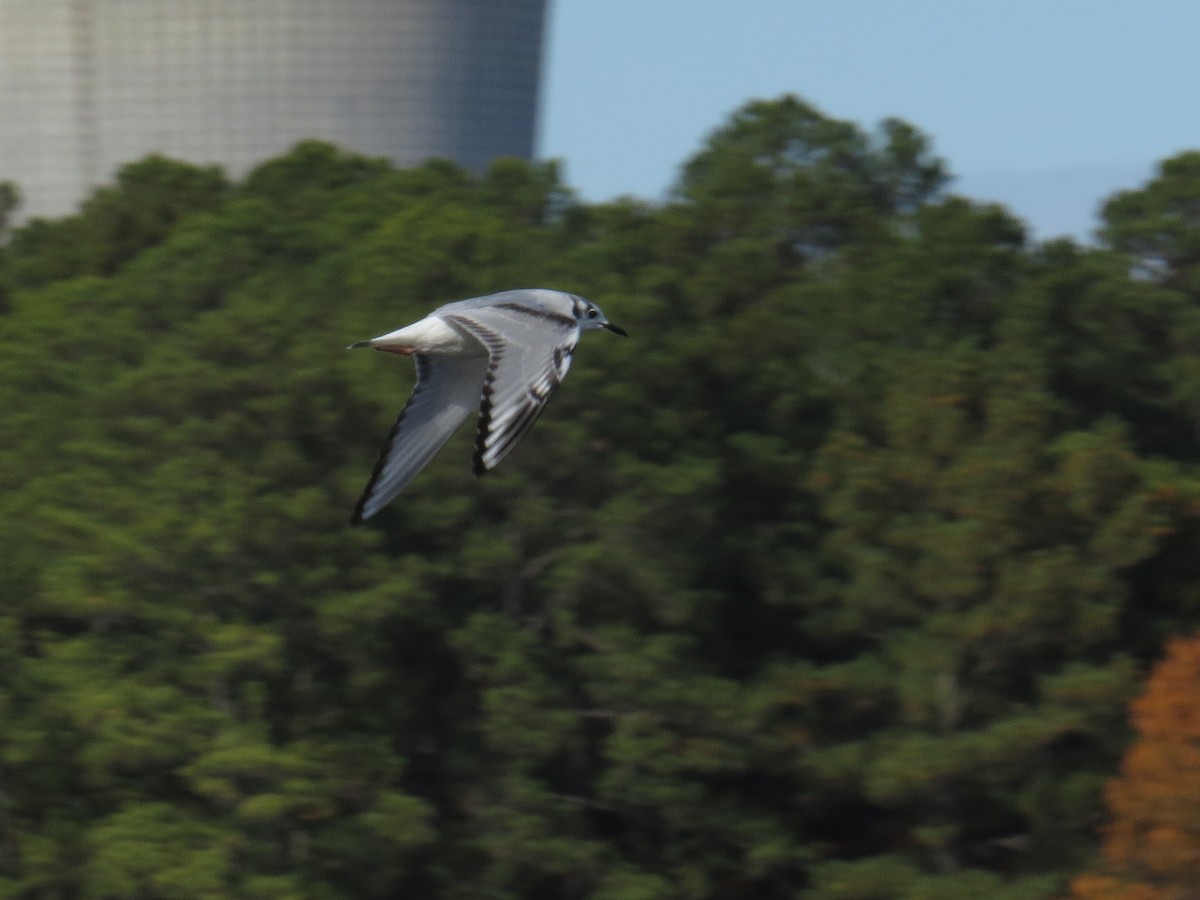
(88, 86)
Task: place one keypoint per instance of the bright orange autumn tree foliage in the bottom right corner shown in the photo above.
(1153, 844)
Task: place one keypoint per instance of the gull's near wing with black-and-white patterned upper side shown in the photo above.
(530, 351)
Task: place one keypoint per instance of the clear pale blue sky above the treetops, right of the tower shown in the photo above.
(1047, 106)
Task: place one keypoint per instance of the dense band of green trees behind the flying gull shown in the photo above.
(836, 580)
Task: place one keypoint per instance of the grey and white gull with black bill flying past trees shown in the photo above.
(505, 353)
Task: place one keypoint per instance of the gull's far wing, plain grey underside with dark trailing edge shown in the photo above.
(448, 391)
